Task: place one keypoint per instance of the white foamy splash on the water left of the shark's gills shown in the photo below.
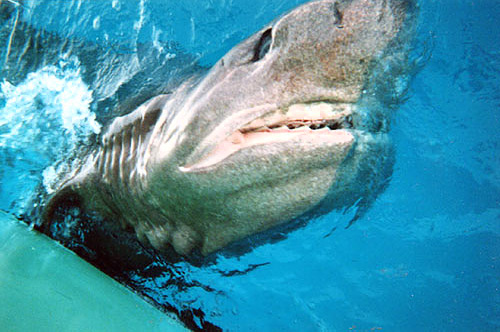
(45, 117)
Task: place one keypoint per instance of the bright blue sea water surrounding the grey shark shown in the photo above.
(423, 258)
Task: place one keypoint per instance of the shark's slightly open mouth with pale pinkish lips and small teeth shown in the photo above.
(317, 122)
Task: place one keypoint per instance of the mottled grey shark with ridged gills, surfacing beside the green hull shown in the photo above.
(176, 171)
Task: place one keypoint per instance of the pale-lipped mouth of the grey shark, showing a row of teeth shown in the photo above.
(310, 126)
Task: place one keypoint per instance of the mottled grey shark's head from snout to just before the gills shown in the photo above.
(265, 135)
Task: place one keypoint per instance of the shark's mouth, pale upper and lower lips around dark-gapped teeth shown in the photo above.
(299, 130)
